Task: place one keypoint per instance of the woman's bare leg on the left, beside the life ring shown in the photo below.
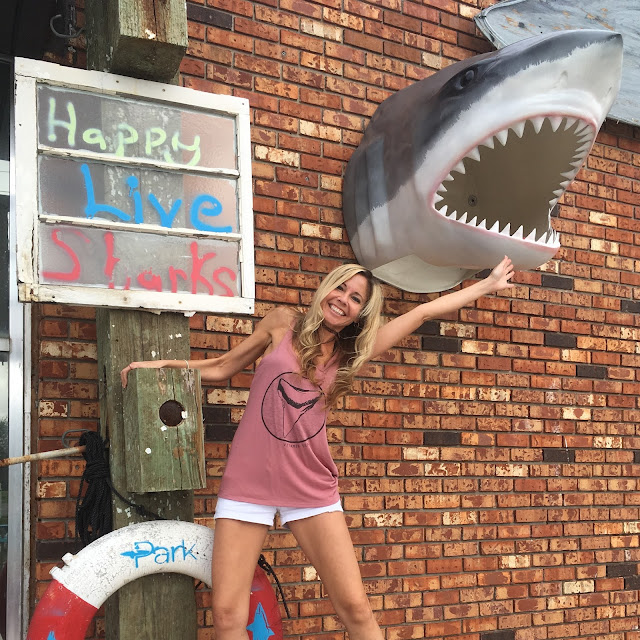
(236, 549)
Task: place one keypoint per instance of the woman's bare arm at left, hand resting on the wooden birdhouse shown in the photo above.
(233, 361)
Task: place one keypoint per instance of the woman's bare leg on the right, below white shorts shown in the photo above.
(325, 540)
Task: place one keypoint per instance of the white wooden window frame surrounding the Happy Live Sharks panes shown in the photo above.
(28, 75)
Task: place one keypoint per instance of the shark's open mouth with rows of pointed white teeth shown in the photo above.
(487, 189)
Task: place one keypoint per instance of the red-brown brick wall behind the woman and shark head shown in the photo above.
(489, 464)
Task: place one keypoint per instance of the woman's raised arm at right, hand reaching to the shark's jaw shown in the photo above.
(402, 326)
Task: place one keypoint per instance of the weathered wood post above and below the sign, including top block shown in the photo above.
(144, 39)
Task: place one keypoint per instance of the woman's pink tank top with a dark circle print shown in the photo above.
(280, 454)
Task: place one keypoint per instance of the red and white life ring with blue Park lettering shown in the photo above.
(96, 572)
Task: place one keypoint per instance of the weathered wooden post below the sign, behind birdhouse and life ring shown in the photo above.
(160, 607)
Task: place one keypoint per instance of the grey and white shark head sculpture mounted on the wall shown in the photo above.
(464, 167)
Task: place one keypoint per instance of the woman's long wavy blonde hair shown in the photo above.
(354, 344)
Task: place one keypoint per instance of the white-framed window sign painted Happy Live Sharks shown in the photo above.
(131, 193)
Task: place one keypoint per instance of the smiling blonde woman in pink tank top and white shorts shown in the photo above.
(279, 460)
